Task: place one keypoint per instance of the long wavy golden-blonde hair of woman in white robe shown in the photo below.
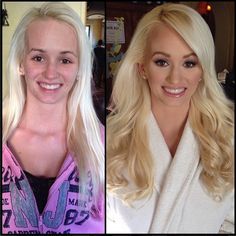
(210, 114)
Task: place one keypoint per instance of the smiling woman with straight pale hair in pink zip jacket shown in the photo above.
(53, 155)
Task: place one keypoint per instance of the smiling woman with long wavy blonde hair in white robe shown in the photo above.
(170, 131)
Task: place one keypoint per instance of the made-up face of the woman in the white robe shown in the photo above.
(171, 68)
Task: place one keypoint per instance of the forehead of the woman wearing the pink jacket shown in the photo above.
(51, 33)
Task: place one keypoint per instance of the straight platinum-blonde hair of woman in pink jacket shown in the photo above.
(83, 129)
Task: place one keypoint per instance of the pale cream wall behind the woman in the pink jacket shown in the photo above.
(15, 11)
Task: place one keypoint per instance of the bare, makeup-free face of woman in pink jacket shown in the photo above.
(50, 64)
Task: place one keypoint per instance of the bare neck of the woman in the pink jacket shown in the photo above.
(44, 118)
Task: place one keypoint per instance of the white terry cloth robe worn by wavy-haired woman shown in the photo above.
(178, 203)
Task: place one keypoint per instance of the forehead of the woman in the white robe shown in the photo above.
(163, 37)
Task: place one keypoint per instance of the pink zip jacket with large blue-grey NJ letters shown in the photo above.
(64, 212)
